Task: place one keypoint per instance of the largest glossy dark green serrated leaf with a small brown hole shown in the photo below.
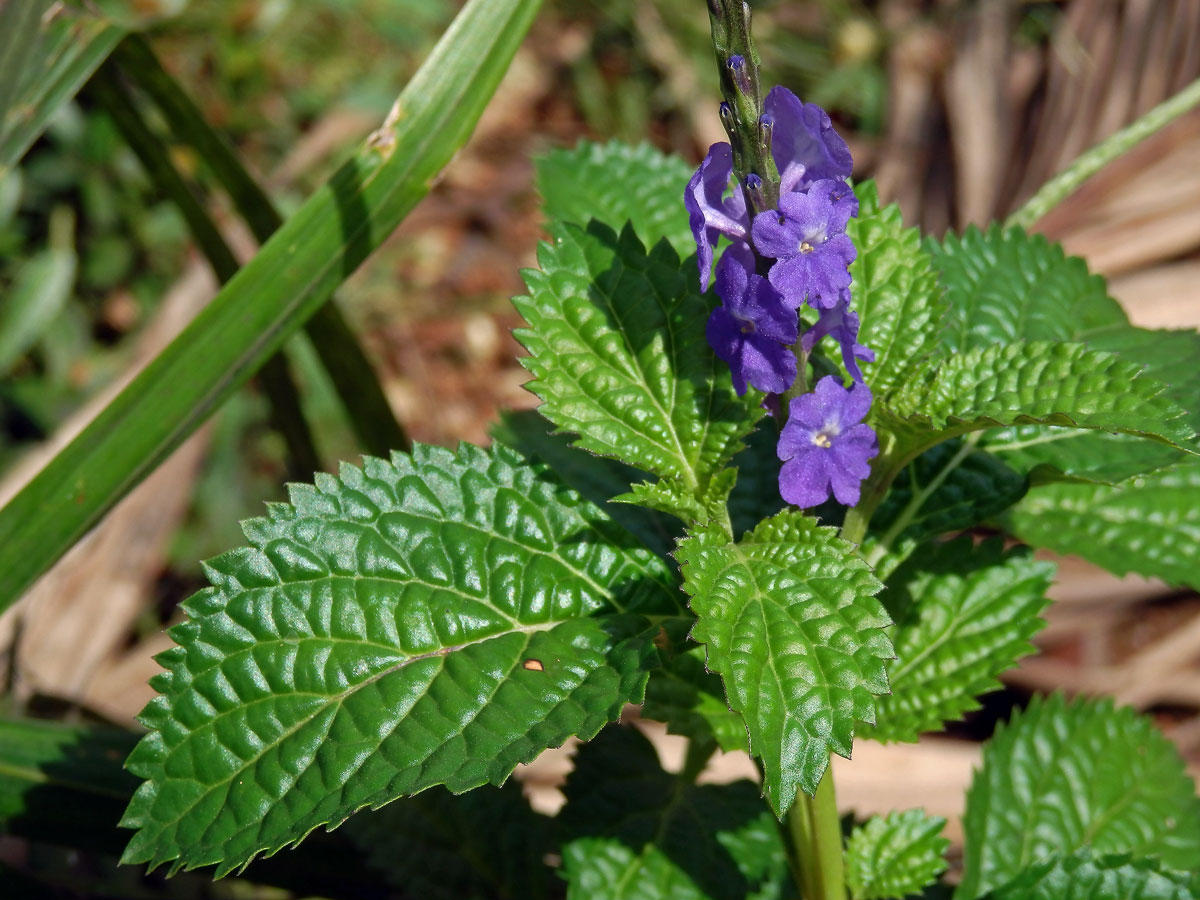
(435, 621)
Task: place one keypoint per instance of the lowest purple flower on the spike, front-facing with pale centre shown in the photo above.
(825, 446)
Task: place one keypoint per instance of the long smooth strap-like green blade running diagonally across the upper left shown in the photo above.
(295, 273)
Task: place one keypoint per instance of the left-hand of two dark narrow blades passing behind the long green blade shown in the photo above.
(287, 415)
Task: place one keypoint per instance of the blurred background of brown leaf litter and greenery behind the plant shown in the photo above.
(959, 110)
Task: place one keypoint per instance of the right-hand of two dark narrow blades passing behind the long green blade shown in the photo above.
(370, 415)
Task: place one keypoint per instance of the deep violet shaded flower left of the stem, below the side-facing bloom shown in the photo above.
(753, 328)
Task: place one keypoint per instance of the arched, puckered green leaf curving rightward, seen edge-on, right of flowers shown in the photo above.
(1065, 385)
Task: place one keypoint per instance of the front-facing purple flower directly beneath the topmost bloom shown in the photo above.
(808, 237)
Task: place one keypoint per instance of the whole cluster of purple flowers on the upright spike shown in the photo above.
(782, 260)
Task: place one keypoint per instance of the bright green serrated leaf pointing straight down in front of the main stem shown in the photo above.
(793, 628)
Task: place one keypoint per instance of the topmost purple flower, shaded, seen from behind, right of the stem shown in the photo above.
(803, 142)
